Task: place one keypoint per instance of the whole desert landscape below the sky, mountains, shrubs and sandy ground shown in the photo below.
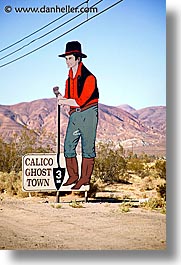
(125, 214)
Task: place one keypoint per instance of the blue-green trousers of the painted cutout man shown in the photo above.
(82, 125)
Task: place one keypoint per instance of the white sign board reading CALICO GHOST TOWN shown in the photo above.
(38, 173)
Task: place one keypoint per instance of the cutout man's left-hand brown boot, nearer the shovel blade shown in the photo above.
(72, 168)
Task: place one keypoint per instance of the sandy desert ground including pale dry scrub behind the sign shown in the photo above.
(120, 216)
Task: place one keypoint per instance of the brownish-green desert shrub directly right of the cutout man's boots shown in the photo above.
(110, 165)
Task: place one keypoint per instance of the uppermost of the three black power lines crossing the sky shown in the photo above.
(38, 30)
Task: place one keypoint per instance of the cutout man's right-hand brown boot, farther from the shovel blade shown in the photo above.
(86, 172)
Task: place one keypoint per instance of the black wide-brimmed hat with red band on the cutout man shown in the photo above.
(73, 47)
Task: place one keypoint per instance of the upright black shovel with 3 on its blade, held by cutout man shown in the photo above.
(59, 172)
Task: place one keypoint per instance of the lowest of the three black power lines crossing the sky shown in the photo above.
(80, 24)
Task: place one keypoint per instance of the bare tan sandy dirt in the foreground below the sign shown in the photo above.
(38, 223)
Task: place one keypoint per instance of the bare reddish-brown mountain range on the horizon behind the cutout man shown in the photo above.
(139, 131)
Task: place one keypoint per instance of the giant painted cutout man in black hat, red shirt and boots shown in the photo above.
(81, 85)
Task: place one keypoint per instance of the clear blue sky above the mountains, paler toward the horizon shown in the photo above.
(126, 49)
